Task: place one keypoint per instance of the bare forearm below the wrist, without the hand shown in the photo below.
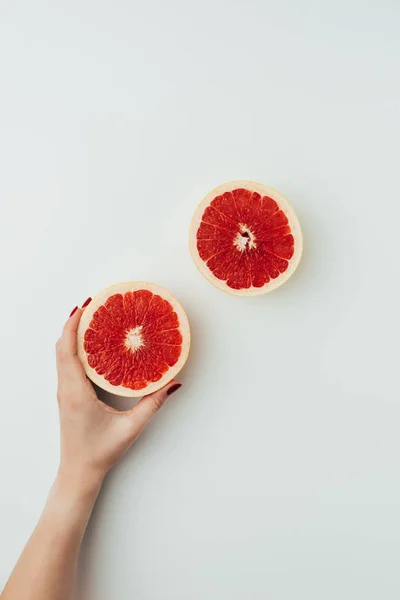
(47, 567)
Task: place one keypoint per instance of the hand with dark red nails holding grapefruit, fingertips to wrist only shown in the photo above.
(93, 435)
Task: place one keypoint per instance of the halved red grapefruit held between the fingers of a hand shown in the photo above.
(133, 338)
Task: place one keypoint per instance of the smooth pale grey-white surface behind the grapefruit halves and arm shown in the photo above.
(274, 472)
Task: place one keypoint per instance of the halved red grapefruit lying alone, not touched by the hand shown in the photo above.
(245, 238)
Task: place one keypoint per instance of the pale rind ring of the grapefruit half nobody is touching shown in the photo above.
(294, 226)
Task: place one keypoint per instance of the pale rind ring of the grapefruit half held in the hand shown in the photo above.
(99, 300)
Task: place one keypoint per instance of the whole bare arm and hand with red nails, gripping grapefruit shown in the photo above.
(93, 438)
